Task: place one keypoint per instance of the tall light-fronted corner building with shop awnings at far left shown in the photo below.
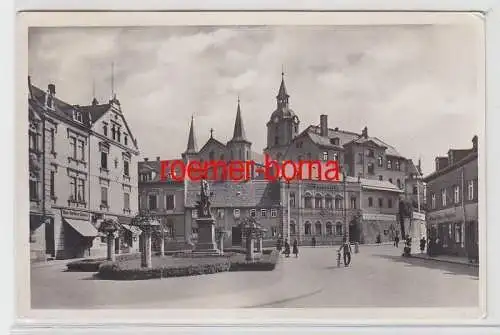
(84, 176)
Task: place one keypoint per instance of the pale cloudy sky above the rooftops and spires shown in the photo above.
(415, 87)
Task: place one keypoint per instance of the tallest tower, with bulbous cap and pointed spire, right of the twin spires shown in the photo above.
(283, 125)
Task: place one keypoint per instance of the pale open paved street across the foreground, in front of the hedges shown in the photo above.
(378, 277)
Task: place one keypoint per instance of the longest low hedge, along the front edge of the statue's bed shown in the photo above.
(116, 270)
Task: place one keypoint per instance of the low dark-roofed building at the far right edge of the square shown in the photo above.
(452, 202)
